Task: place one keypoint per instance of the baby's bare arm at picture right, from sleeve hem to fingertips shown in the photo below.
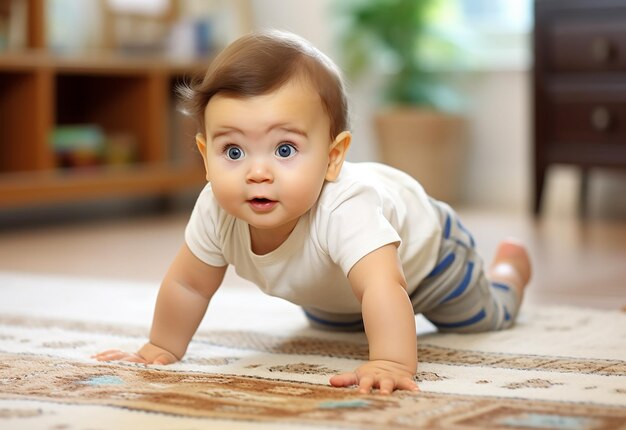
(378, 282)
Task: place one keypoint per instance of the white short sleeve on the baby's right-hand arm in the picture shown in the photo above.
(357, 226)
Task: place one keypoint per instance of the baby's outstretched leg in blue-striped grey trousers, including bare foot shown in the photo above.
(459, 295)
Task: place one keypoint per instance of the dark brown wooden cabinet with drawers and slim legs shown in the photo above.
(579, 87)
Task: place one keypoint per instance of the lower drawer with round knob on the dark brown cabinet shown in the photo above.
(593, 117)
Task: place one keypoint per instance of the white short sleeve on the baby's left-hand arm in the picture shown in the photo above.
(202, 231)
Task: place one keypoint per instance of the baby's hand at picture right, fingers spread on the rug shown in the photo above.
(384, 375)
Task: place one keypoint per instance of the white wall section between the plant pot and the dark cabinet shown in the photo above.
(498, 165)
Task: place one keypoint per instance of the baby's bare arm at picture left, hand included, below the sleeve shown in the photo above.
(181, 304)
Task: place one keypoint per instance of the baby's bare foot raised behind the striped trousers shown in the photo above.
(511, 264)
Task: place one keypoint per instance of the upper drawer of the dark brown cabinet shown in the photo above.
(589, 42)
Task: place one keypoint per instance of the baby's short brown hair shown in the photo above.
(259, 63)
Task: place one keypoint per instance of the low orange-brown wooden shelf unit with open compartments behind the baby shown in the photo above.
(127, 96)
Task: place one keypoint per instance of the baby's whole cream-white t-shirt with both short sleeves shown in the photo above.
(370, 205)
